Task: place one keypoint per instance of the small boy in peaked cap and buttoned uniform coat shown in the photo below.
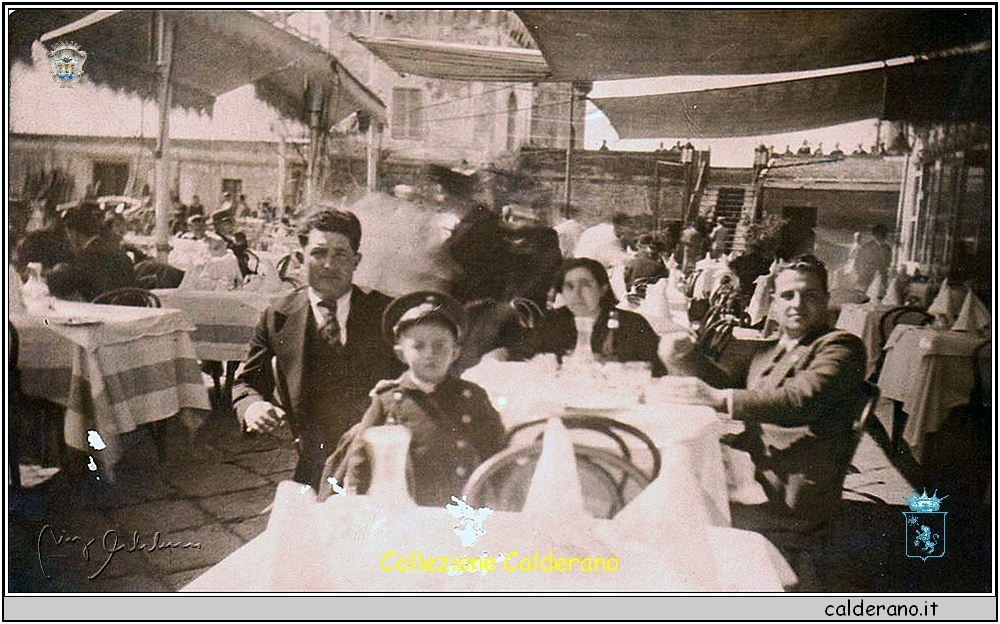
(452, 424)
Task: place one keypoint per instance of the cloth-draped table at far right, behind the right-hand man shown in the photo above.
(927, 372)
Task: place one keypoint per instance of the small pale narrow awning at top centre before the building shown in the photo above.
(452, 61)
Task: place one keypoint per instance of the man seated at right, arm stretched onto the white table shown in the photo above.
(797, 400)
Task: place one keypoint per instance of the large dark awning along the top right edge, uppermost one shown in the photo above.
(614, 44)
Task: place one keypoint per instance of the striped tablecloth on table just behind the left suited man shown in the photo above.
(223, 320)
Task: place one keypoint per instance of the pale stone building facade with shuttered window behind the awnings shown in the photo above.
(445, 121)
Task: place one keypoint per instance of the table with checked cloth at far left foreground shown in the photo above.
(115, 368)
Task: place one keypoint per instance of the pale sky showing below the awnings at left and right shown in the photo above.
(39, 106)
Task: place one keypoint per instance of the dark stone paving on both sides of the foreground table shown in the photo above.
(215, 488)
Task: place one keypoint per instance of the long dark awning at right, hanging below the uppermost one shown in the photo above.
(950, 89)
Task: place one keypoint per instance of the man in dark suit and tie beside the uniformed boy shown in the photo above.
(317, 353)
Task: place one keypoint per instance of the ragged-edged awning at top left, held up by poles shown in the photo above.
(214, 52)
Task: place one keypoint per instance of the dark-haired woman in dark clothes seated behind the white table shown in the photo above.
(615, 335)
